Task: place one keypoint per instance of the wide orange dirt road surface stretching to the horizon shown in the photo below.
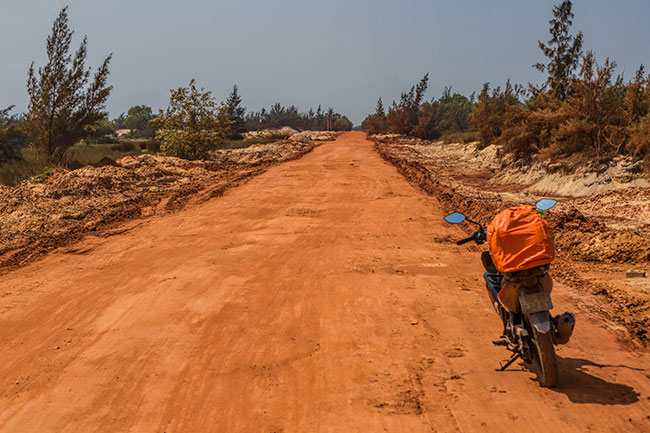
(321, 296)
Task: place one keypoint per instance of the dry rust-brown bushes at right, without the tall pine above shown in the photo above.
(599, 118)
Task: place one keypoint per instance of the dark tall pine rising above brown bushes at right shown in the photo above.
(564, 52)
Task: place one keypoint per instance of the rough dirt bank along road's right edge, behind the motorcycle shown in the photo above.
(595, 227)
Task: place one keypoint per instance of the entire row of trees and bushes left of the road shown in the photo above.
(67, 104)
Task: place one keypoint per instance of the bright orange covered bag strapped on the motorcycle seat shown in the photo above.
(520, 239)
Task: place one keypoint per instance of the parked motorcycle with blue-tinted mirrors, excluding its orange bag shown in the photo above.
(529, 330)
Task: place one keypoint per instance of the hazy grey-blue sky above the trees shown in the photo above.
(340, 53)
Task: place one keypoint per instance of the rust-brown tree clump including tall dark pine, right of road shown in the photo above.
(582, 107)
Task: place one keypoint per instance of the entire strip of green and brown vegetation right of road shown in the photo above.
(583, 109)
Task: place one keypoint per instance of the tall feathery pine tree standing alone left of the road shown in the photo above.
(61, 103)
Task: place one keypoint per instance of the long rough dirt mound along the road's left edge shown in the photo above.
(62, 206)
